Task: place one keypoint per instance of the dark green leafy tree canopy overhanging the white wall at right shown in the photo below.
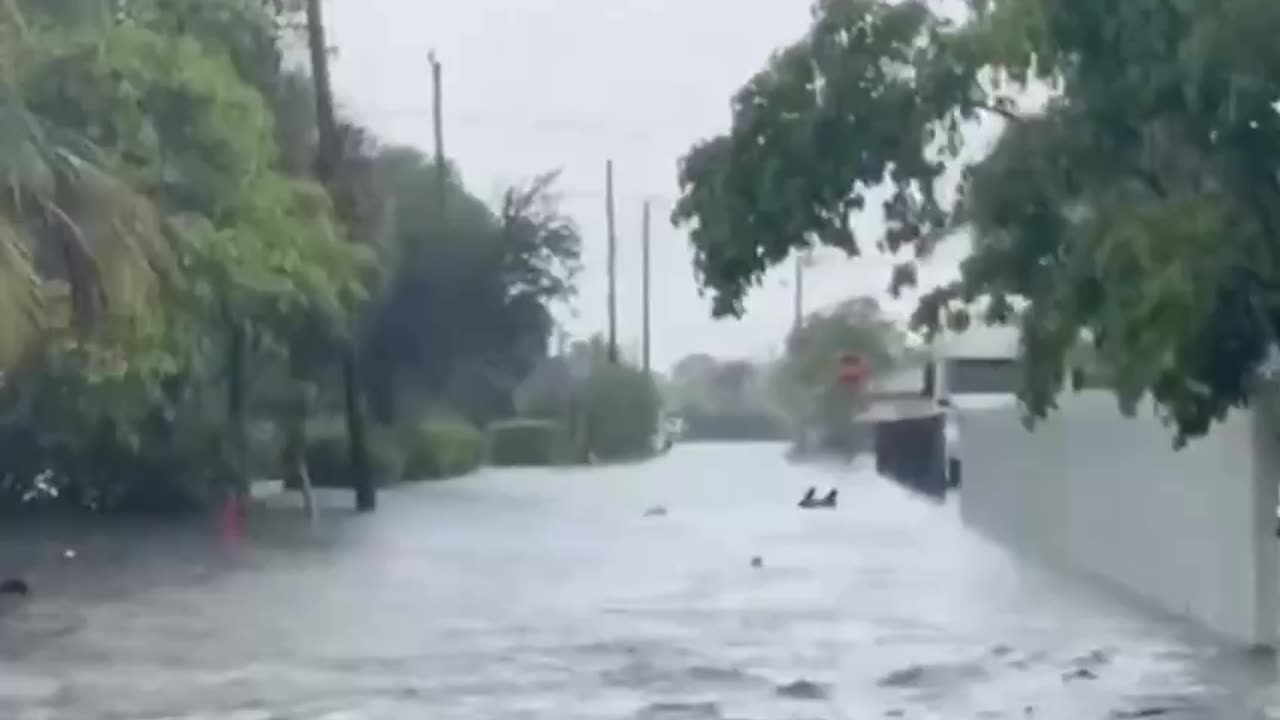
(1137, 208)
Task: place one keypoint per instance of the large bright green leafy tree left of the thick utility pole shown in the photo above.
(237, 256)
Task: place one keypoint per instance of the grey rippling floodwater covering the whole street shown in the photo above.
(551, 595)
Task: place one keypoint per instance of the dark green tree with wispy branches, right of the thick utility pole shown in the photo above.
(468, 317)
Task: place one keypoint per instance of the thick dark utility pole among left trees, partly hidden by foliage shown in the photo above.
(328, 160)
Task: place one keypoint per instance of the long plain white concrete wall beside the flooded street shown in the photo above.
(1191, 532)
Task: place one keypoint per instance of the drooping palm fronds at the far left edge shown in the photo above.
(75, 239)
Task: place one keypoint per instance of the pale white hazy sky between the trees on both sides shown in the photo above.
(540, 85)
